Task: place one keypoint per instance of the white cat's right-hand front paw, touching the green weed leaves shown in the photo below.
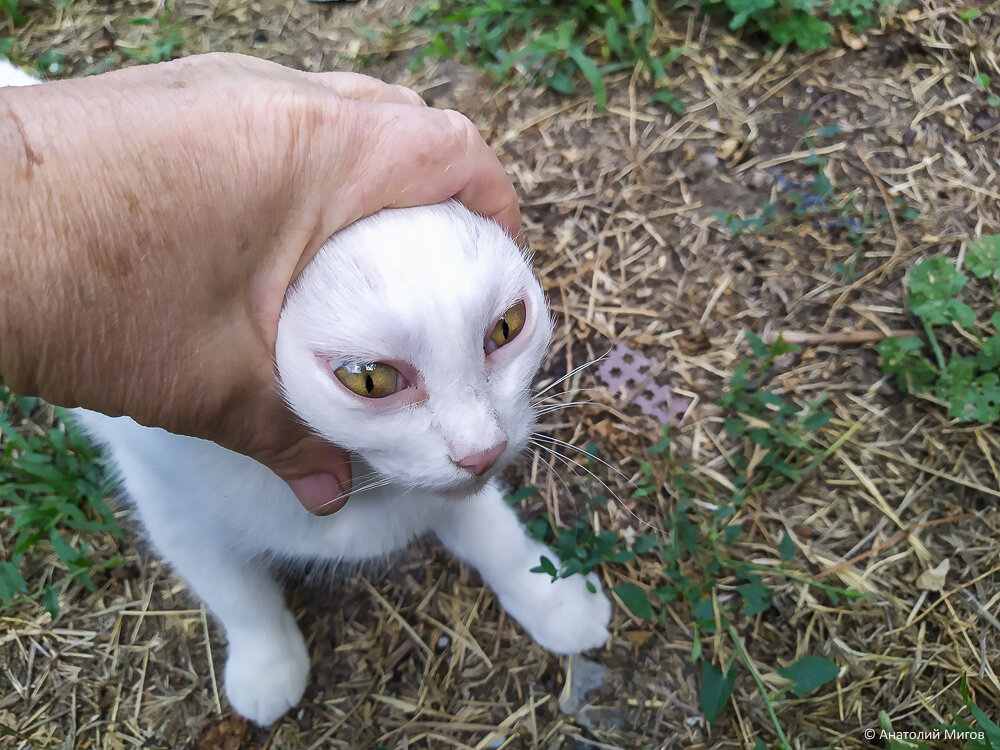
(563, 616)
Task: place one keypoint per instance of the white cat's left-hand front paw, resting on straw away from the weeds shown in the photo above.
(266, 672)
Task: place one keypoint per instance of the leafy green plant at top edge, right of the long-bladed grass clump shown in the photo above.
(804, 23)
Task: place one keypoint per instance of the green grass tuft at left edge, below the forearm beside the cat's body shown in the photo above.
(51, 483)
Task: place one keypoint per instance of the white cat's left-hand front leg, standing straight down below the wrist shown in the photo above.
(267, 664)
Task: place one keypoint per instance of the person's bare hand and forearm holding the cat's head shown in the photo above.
(151, 220)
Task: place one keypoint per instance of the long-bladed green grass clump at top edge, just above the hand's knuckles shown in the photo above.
(550, 42)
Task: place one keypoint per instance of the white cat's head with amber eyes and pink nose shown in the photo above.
(412, 339)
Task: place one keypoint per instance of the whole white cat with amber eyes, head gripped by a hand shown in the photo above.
(410, 340)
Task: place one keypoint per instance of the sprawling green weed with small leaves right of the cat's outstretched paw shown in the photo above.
(695, 563)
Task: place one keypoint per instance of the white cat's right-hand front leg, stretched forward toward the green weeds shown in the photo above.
(562, 616)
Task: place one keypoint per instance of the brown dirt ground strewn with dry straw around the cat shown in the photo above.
(619, 211)
